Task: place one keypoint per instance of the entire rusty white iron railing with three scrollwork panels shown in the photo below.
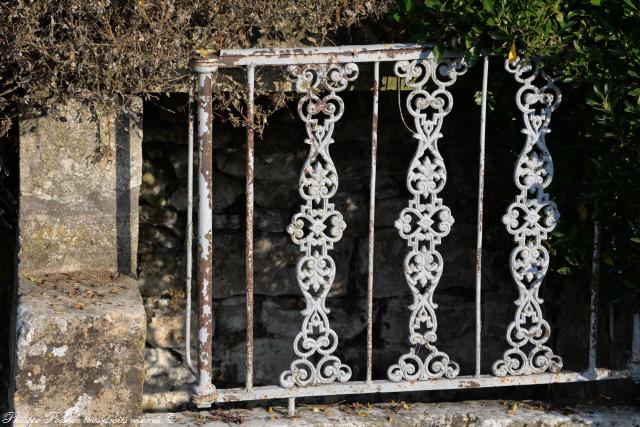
(319, 75)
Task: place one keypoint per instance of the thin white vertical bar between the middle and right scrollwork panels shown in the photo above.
(483, 127)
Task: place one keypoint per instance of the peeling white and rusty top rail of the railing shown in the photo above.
(315, 55)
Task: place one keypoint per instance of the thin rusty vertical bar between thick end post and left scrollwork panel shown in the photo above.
(249, 234)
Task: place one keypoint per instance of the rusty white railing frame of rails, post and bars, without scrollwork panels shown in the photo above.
(205, 67)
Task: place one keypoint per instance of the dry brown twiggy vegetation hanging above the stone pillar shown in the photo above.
(100, 50)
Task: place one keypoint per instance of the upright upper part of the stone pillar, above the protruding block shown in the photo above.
(80, 176)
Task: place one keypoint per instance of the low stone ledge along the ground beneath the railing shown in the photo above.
(471, 413)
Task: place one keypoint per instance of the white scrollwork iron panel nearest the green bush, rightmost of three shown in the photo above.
(530, 219)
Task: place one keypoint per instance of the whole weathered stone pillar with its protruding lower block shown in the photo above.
(80, 322)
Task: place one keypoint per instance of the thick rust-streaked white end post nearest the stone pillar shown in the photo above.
(205, 234)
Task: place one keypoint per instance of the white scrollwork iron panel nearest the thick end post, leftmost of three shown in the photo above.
(318, 225)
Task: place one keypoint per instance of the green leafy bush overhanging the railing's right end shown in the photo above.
(595, 47)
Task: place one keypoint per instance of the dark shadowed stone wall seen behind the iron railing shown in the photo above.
(280, 153)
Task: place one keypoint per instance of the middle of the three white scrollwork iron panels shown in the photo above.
(426, 220)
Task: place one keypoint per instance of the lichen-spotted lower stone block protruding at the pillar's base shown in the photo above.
(79, 346)
